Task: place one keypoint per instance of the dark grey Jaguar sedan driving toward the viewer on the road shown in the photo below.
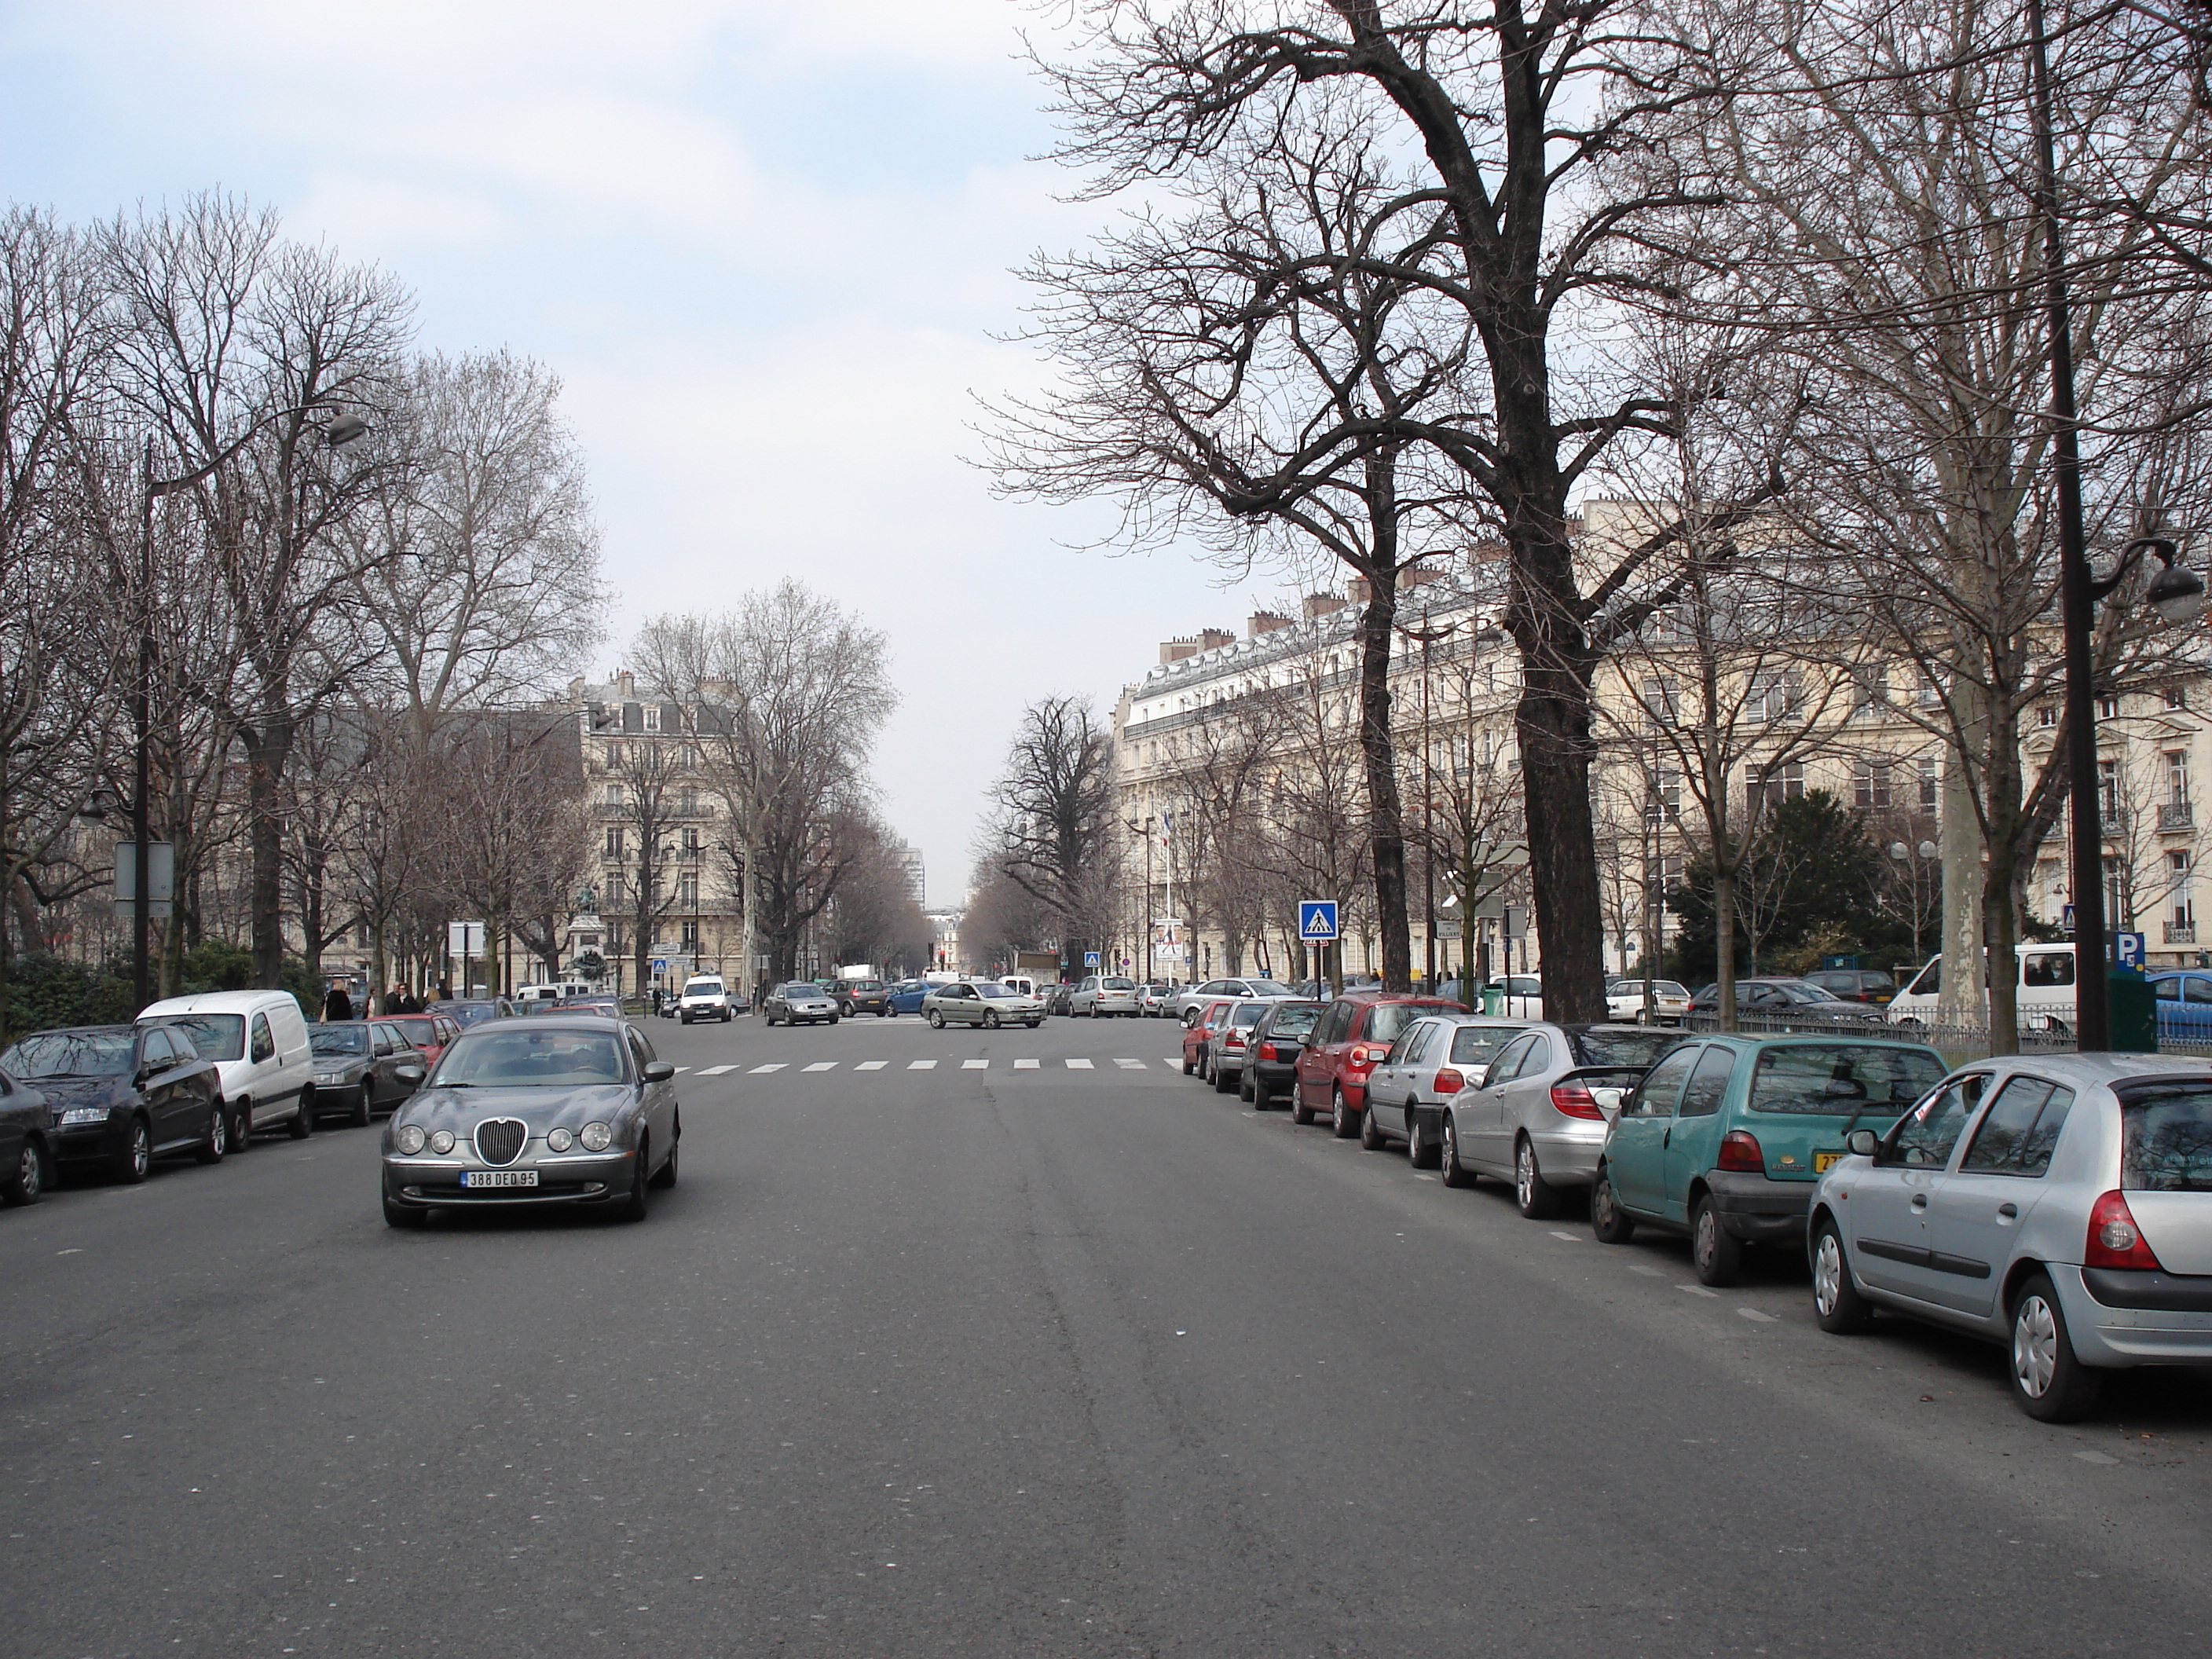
(563, 1109)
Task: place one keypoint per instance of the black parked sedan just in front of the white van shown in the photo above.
(123, 1096)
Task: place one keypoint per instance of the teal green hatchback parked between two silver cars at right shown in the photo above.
(1726, 1138)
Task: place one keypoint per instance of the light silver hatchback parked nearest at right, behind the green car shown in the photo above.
(2058, 1204)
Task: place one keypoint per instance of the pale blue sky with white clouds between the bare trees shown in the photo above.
(764, 244)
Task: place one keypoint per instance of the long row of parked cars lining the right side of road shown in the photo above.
(2054, 1204)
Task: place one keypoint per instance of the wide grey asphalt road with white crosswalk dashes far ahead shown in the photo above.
(1019, 1361)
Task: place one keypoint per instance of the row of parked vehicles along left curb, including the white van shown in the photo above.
(194, 1076)
